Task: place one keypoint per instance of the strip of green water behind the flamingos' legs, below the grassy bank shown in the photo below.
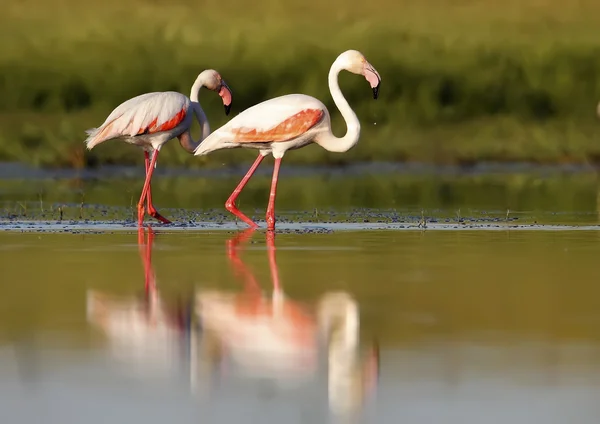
(528, 197)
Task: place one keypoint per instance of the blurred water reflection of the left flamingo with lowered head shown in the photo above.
(148, 335)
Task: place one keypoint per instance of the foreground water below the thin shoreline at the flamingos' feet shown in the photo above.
(502, 324)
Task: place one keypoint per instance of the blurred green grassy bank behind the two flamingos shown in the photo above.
(481, 80)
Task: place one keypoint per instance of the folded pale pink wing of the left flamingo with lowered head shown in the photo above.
(145, 114)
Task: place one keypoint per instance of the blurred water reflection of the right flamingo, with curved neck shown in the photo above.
(278, 338)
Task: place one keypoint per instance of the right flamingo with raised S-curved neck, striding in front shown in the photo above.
(290, 122)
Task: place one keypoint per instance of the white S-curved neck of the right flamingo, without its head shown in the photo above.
(327, 139)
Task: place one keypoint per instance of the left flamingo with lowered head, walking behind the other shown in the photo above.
(150, 120)
